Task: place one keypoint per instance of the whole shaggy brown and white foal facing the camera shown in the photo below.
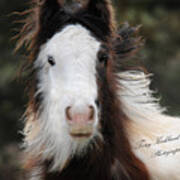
(89, 118)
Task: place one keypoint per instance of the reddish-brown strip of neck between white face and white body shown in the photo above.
(128, 164)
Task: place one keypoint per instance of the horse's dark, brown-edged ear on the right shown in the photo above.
(102, 9)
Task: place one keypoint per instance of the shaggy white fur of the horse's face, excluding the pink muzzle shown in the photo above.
(71, 82)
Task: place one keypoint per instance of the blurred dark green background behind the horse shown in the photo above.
(160, 21)
